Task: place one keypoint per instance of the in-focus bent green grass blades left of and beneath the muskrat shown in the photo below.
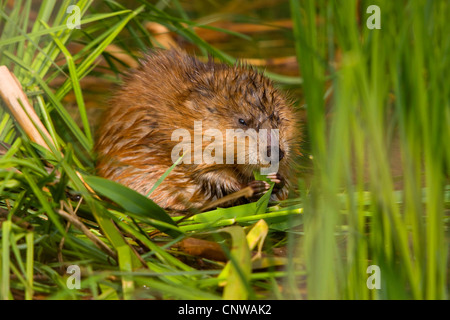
(51, 219)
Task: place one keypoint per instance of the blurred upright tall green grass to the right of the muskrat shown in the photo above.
(388, 84)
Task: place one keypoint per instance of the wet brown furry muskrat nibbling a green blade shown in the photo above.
(170, 90)
